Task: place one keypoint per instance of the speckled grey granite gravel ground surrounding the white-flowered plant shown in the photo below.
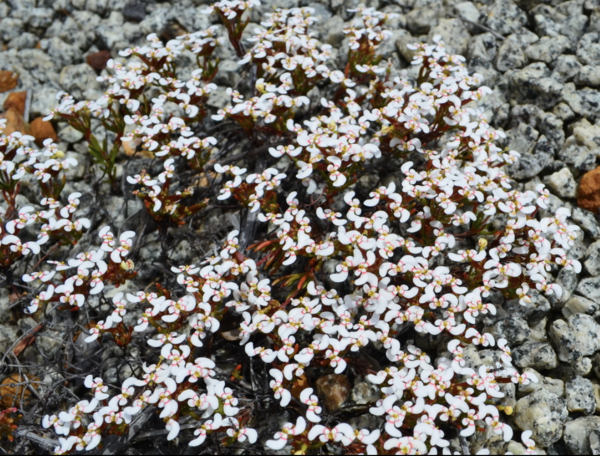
(542, 60)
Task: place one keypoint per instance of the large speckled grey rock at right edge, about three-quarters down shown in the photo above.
(575, 338)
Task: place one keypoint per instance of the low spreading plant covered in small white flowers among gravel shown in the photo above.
(333, 271)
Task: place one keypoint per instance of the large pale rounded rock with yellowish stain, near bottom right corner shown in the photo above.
(544, 413)
